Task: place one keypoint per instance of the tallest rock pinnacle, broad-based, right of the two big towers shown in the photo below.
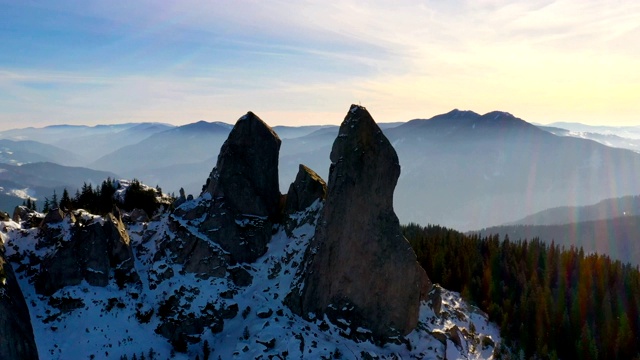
(361, 272)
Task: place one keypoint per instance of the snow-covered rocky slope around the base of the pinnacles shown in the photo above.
(251, 321)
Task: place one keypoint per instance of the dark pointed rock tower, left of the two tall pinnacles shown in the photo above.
(242, 193)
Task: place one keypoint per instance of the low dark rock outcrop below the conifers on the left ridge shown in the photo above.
(93, 251)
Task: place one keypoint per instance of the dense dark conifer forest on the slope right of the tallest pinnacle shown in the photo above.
(550, 302)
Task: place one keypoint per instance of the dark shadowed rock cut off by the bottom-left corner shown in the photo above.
(16, 333)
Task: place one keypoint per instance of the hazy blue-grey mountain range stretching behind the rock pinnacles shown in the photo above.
(476, 170)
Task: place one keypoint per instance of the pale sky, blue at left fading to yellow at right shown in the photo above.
(304, 62)
